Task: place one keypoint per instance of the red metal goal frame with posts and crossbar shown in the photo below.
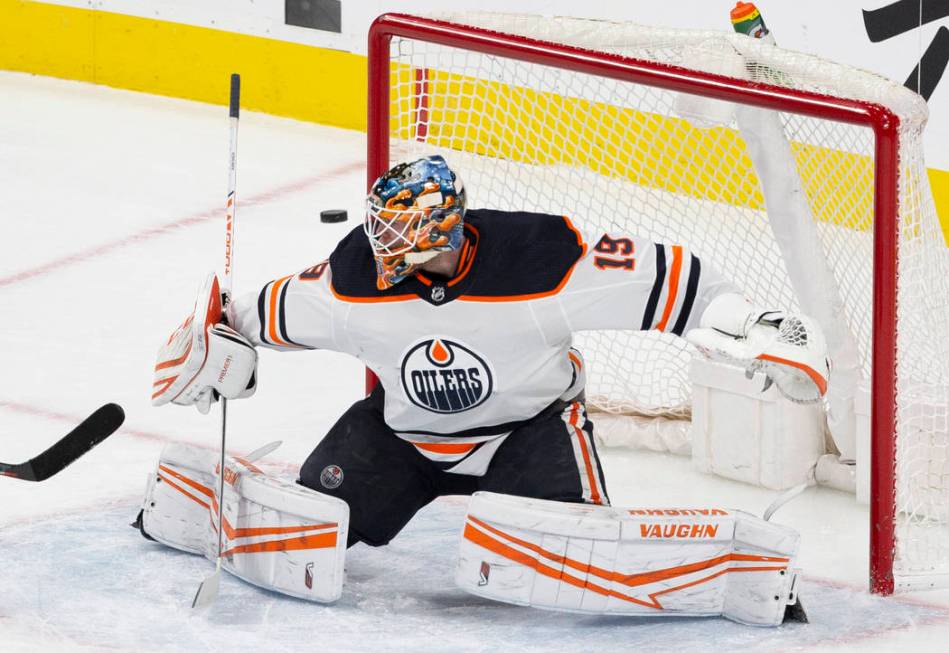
(883, 122)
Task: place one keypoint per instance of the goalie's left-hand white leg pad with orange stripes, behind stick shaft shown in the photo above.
(277, 534)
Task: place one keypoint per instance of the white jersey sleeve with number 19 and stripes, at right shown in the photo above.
(626, 282)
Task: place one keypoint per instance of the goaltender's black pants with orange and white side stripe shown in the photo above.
(385, 480)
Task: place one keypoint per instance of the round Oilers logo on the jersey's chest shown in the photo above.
(444, 376)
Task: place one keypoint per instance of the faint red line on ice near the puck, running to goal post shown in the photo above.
(171, 227)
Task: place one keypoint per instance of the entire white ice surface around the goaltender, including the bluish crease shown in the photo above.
(111, 216)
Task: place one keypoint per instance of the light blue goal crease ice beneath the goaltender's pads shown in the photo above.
(95, 581)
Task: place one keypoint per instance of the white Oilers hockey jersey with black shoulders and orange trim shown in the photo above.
(464, 361)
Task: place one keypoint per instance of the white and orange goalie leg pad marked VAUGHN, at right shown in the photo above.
(604, 560)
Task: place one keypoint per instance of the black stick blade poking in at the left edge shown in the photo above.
(93, 430)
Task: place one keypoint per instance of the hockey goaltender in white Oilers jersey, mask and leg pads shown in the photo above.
(466, 315)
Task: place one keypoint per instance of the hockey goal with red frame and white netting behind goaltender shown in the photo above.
(679, 136)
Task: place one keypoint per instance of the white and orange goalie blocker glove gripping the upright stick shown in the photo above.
(205, 358)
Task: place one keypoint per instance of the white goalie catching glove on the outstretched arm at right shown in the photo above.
(789, 349)
